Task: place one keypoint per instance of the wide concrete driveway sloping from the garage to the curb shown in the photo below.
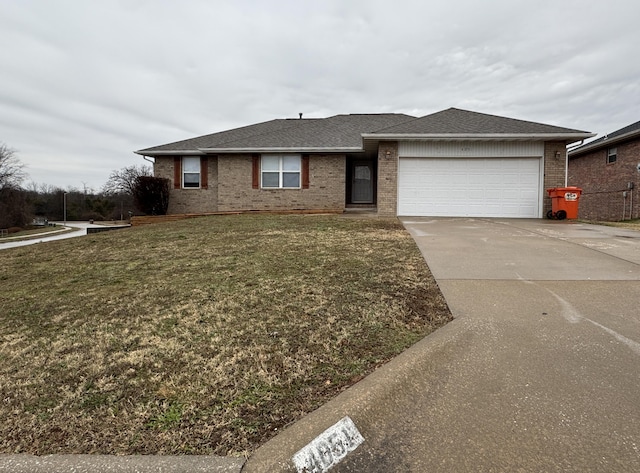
(540, 370)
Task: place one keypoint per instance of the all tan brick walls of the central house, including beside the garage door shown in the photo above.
(230, 183)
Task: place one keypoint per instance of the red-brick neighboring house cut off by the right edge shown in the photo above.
(608, 171)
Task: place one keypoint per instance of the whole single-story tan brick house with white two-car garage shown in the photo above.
(450, 163)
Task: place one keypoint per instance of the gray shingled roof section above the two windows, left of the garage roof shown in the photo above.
(337, 133)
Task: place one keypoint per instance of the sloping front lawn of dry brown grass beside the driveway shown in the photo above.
(203, 336)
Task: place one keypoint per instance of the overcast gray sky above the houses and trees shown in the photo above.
(85, 83)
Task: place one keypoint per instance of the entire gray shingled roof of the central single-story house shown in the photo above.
(346, 132)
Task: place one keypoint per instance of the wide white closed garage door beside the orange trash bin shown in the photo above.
(469, 187)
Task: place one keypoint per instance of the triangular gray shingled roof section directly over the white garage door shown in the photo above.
(454, 121)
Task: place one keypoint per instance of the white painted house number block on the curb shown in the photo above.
(328, 448)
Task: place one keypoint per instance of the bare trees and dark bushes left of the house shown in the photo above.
(131, 190)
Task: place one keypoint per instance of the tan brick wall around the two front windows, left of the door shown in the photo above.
(230, 187)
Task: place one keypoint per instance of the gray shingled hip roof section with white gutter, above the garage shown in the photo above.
(454, 123)
